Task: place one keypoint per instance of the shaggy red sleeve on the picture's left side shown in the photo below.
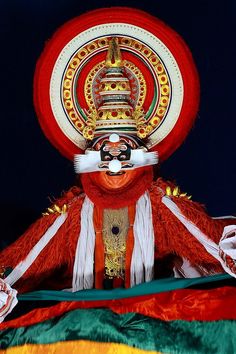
(55, 261)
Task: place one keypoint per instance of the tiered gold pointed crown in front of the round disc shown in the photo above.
(115, 113)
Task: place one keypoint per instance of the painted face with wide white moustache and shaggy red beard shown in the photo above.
(117, 164)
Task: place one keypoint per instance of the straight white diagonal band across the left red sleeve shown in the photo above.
(22, 267)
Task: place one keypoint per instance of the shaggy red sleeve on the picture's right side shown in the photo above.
(172, 237)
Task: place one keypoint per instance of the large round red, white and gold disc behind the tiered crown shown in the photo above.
(163, 81)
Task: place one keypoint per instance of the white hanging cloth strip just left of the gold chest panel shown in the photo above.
(84, 256)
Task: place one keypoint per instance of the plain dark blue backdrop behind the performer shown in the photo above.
(32, 170)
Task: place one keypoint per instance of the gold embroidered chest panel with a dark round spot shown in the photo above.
(115, 229)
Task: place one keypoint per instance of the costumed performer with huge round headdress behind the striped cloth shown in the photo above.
(117, 91)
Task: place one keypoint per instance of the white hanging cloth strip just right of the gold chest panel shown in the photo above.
(142, 262)
